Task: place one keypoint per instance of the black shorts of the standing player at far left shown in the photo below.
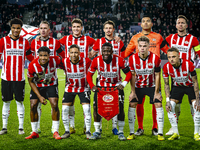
(8, 88)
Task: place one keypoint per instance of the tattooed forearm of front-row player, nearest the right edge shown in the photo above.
(196, 91)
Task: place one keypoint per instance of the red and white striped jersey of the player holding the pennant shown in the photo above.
(108, 74)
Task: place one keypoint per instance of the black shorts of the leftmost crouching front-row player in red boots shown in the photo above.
(46, 92)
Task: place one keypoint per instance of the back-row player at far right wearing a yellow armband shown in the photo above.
(188, 47)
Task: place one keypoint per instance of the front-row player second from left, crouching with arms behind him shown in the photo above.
(76, 69)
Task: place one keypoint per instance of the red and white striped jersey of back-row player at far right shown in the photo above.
(185, 45)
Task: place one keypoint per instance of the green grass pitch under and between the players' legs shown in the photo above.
(12, 140)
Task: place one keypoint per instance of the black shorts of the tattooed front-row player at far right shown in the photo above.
(177, 93)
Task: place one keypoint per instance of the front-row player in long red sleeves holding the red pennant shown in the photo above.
(108, 66)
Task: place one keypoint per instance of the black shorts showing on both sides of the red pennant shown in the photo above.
(120, 98)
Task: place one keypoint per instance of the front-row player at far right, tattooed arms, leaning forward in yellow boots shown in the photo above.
(184, 82)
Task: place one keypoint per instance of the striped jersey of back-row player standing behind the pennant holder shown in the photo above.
(118, 48)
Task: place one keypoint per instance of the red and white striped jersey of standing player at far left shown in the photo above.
(14, 52)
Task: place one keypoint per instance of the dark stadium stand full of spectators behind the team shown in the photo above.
(126, 14)
